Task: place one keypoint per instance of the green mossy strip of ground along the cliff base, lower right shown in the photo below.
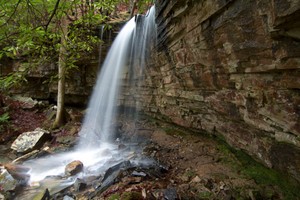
(262, 175)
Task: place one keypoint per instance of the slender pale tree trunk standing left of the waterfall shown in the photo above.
(60, 113)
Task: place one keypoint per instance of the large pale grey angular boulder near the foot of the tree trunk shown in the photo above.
(29, 141)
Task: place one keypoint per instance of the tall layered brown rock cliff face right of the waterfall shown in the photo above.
(230, 68)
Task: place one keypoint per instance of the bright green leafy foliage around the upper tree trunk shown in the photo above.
(30, 32)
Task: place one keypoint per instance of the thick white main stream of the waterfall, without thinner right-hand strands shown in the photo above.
(102, 106)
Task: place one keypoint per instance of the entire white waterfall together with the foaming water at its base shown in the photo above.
(97, 149)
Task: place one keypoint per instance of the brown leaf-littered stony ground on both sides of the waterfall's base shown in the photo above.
(192, 165)
